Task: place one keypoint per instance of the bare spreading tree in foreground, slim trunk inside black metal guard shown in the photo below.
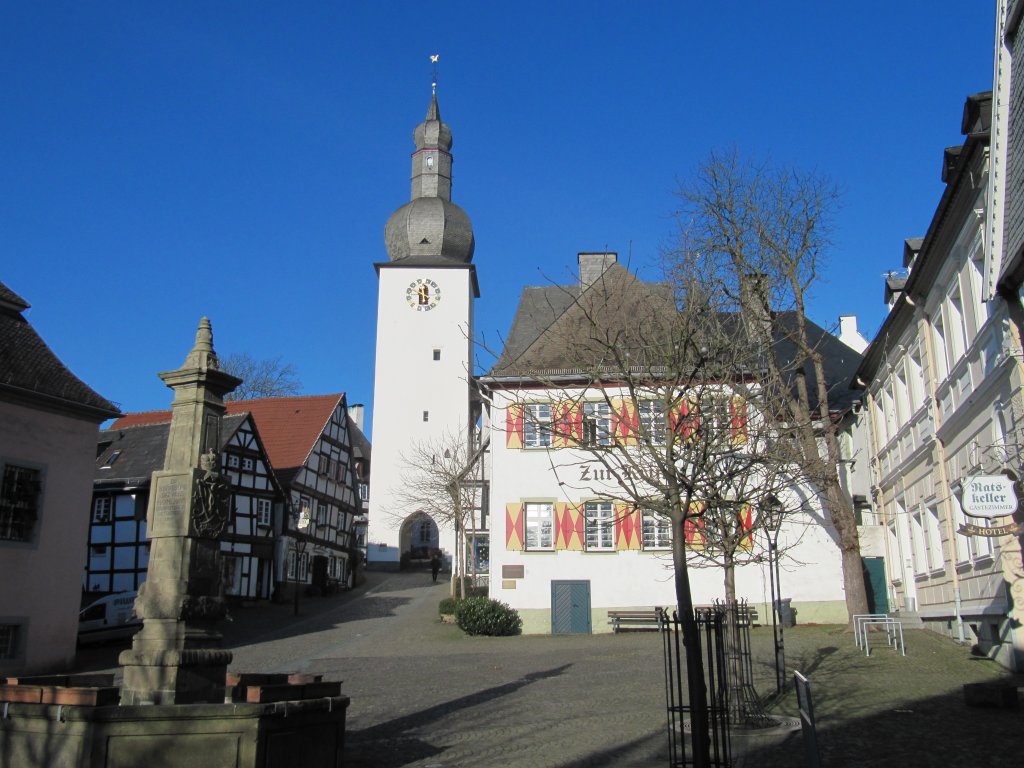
(664, 391)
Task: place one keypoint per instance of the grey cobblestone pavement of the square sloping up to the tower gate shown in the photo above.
(425, 696)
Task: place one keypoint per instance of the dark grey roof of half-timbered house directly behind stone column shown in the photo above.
(143, 449)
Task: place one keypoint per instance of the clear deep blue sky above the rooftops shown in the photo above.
(164, 161)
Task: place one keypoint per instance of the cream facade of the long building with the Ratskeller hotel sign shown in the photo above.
(942, 381)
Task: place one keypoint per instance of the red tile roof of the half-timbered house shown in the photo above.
(288, 426)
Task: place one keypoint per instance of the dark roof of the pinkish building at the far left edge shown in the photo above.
(31, 372)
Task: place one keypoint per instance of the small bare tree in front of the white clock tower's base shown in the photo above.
(442, 479)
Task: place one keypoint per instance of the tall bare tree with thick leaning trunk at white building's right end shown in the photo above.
(759, 235)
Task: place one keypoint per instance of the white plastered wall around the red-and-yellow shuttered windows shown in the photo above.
(812, 573)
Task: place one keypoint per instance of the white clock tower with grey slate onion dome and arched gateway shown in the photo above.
(423, 370)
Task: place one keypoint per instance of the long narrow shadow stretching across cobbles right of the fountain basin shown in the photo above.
(391, 745)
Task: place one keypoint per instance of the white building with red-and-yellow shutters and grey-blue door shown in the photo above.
(566, 547)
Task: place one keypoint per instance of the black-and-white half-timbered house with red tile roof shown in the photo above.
(309, 443)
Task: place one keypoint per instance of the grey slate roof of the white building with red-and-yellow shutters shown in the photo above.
(551, 328)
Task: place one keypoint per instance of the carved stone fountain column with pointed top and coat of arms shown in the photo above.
(177, 657)
